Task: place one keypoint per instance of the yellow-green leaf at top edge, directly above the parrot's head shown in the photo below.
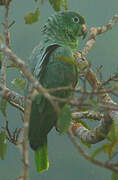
(58, 4)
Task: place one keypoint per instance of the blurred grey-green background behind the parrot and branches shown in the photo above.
(66, 163)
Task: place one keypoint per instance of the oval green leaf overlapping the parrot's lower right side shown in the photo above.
(64, 119)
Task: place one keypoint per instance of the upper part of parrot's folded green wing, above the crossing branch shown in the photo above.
(55, 71)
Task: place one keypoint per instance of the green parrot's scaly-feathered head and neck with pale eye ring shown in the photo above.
(65, 28)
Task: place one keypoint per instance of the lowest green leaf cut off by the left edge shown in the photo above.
(3, 145)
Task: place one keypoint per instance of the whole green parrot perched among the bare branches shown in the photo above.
(59, 38)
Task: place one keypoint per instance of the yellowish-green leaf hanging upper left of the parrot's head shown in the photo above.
(32, 18)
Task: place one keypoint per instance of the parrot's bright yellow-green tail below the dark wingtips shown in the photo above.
(41, 157)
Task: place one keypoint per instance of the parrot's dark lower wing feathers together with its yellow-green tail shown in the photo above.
(41, 122)
